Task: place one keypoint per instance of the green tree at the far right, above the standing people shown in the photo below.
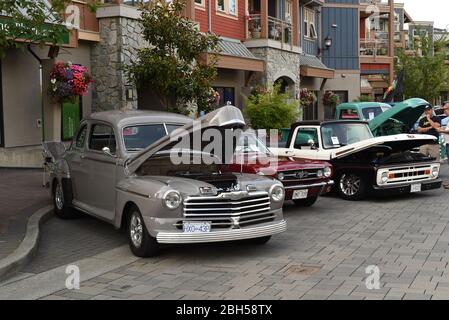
(425, 72)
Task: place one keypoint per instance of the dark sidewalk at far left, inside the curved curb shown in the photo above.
(21, 194)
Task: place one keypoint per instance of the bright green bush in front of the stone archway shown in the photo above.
(270, 109)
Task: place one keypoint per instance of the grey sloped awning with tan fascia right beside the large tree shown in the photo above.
(235, 55)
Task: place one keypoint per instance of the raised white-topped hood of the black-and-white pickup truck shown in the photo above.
(396, 143)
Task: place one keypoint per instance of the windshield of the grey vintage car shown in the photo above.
(139, 137)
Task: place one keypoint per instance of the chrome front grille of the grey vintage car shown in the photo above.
(223, 212)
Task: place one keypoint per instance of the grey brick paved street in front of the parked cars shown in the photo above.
(323, 255)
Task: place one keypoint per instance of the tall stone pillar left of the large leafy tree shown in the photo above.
(120, 38)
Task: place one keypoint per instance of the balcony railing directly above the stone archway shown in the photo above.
(278, 30)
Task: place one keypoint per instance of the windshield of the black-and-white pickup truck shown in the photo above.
(337, 135)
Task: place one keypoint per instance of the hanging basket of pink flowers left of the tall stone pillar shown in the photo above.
(68, 81)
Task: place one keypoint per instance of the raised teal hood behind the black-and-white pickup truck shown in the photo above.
(407, 112)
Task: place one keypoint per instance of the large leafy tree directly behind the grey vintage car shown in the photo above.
(172, 64)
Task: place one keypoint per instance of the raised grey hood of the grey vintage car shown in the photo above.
(227, 117)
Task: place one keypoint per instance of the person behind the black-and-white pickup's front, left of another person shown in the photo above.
(430, 125)
